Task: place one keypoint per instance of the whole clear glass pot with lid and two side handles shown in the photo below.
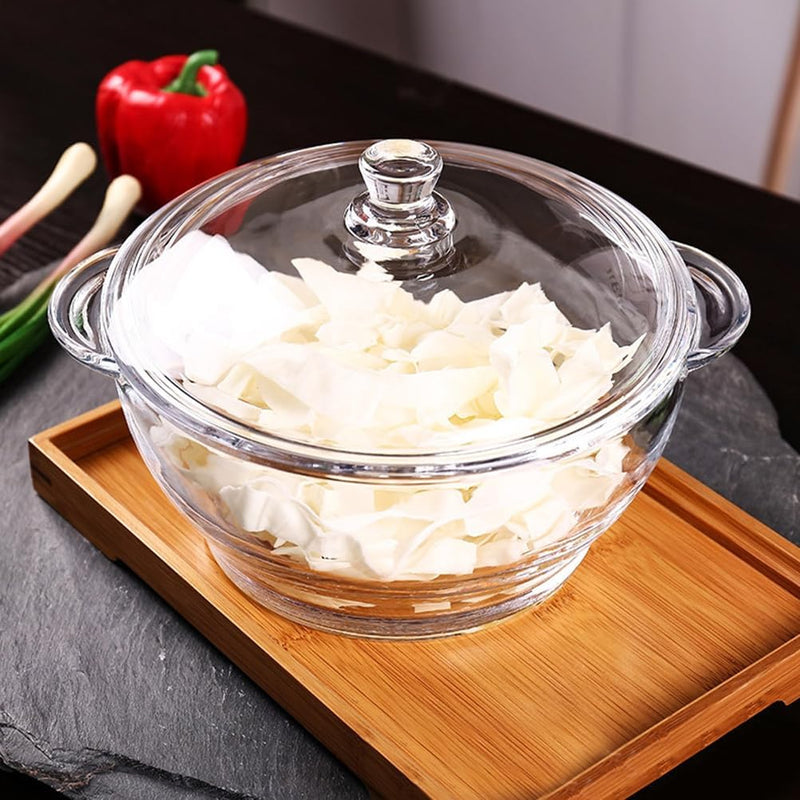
(430, 538)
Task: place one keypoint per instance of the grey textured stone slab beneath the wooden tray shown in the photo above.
(105, 692)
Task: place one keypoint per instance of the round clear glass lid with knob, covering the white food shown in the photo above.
(400, 302)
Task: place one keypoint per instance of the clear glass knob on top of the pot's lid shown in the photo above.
(400, 222)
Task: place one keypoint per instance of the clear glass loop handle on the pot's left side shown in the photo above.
(72, 312)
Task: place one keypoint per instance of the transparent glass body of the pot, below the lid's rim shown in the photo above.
(365, 604)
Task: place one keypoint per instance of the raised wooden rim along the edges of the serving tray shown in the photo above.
(775, 677)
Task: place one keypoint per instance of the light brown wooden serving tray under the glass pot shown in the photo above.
(682, 622)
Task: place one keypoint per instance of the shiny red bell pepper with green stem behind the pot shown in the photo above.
(172, 123)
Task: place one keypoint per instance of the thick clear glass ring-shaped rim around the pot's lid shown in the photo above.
(676, 330)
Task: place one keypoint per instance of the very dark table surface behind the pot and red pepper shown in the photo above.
(304, 90)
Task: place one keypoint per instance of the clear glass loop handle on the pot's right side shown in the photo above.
(724, 307)
